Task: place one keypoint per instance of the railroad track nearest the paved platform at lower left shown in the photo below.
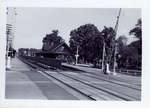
(85, 88)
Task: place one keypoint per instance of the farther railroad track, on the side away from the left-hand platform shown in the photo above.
(118, 90)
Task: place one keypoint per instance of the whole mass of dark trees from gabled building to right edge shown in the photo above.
(91, 41)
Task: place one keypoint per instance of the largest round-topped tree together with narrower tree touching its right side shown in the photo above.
(91, 41)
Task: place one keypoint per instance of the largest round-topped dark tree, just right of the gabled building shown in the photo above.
(88, 38)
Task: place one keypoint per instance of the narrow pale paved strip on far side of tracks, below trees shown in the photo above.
(121, 77)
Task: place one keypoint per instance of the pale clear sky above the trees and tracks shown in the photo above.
(33, 23)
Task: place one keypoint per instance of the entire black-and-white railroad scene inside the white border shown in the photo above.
(92, 54)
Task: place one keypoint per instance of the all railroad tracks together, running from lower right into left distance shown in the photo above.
(98, 89)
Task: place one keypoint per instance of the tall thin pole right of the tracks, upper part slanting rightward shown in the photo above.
(116, 28)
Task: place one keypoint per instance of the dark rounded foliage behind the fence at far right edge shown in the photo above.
(129, 57)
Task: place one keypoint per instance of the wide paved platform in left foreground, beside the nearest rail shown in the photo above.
(24, 83)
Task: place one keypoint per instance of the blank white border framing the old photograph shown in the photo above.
(143, 4)
